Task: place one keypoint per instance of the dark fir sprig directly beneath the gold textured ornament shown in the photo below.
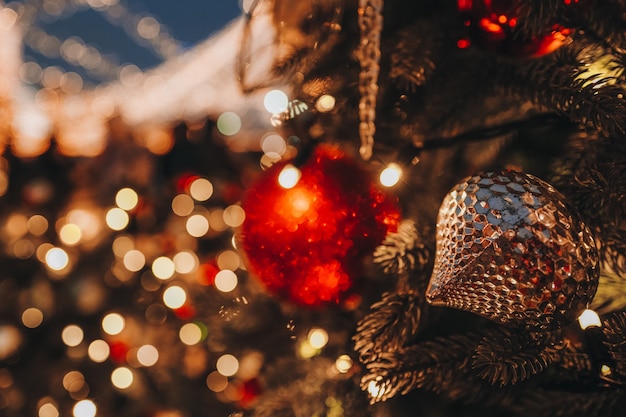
(507, 356)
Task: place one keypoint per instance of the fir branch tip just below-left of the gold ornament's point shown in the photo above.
(393, 321)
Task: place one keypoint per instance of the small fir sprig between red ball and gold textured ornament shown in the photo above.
(402, 252)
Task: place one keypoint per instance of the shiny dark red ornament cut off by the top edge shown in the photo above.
(491, 24)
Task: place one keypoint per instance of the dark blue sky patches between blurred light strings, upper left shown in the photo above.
(188, 21)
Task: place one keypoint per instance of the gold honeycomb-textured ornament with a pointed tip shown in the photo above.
(511, 248)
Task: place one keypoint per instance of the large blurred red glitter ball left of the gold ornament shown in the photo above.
(307, 243)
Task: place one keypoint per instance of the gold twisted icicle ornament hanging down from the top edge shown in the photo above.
(371, 25)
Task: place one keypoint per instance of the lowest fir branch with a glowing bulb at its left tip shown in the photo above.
(430, 365)
